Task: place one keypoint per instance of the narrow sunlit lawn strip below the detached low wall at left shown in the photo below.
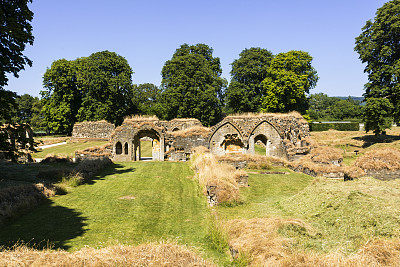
(67, 149)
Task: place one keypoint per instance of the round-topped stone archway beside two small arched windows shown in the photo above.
(158, 138)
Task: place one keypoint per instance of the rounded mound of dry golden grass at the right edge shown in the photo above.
(379, 159)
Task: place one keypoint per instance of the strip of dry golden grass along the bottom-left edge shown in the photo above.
(142, 255)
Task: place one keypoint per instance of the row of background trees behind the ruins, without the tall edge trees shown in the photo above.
(100, 87)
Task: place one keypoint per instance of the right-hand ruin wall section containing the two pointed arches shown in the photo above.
(283, 135)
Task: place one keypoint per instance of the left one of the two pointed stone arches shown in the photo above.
(225, 137)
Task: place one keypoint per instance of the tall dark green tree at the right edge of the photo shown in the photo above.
(379, 47)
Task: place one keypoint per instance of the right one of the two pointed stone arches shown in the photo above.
(267, 133)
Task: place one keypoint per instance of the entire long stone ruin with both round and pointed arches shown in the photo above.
(282, 135)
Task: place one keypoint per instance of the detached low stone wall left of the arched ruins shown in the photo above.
(98, 130)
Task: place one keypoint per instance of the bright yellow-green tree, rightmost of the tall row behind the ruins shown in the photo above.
(290, 77)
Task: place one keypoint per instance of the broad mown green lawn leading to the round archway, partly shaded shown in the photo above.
(163, 204)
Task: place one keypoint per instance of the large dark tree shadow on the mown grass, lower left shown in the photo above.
(47, 225)
